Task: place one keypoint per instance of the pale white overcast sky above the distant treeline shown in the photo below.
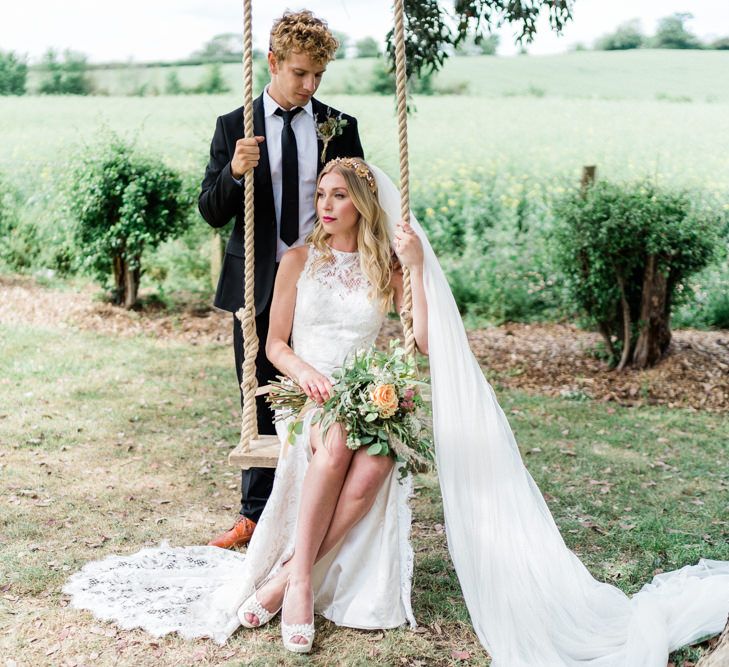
(170, 29)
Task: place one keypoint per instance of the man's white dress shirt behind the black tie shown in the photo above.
(306, 148)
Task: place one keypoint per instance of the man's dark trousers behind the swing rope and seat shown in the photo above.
(256, 483)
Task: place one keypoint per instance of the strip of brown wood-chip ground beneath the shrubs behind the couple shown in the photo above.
(552, 359)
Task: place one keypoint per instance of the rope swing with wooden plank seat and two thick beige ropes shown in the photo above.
(262, 451)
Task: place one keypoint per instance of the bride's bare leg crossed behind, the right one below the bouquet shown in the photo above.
(364, 479)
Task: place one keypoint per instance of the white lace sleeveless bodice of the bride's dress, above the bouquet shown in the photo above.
(334, 314)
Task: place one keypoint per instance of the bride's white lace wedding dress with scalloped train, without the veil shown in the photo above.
(365, 582)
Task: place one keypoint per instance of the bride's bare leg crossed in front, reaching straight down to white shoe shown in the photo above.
(321, 488)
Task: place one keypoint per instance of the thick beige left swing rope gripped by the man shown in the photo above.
(247, 314)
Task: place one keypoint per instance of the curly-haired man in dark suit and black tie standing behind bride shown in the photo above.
(295, 136)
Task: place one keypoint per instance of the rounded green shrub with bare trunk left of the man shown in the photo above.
(125, 203)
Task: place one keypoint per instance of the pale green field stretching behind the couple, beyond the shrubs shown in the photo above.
(537, 116)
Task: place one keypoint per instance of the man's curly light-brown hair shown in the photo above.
(302, 31)
